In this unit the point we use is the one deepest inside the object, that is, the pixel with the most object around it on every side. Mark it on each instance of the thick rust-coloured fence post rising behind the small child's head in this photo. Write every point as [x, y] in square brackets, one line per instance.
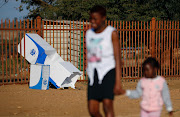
[153, 53]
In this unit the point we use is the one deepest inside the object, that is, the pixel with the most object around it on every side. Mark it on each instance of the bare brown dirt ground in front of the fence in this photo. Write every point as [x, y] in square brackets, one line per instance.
[19, 100]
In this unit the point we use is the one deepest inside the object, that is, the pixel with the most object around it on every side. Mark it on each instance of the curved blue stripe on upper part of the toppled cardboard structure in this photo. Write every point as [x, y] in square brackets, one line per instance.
[41, 55]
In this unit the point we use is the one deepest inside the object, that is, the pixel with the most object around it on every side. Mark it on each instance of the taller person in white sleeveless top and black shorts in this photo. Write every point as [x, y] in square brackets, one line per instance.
[103, 55]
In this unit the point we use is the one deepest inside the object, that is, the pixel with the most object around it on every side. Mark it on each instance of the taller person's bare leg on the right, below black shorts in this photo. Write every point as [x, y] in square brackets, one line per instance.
[108, 107]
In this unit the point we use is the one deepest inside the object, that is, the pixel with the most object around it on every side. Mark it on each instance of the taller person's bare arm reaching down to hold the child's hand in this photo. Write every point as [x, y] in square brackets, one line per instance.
[117, 55]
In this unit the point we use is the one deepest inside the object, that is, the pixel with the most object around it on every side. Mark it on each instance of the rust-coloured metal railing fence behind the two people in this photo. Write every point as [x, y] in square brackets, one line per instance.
[138, 40]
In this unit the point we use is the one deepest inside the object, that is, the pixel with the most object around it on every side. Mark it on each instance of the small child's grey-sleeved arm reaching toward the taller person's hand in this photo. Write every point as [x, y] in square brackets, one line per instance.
[133, 94]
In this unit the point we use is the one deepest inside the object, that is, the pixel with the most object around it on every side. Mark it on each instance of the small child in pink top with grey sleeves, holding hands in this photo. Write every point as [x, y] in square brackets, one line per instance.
[153, 89]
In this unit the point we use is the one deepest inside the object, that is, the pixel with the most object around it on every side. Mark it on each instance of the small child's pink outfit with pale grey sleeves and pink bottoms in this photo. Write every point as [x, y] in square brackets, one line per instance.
[154, 93]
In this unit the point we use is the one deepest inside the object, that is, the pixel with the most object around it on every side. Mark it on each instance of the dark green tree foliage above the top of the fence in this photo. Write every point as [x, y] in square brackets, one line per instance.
[116, 9]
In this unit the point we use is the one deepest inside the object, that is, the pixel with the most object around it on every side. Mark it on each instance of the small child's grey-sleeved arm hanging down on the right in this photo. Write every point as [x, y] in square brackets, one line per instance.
[166, 97]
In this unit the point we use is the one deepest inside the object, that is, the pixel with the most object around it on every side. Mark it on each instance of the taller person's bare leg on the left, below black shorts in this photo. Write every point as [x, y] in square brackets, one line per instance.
[93, 107]
